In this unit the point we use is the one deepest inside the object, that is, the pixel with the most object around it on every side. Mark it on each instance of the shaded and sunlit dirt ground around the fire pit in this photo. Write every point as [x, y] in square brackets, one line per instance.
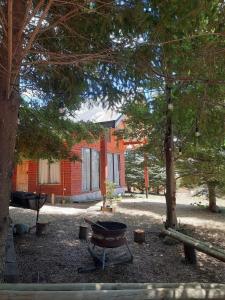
[57, 255]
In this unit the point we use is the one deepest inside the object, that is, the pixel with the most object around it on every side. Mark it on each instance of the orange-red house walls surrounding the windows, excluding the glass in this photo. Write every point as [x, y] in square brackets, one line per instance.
[71, 172]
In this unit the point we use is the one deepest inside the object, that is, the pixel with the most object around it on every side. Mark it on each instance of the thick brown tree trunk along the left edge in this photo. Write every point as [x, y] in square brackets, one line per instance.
[10, 61]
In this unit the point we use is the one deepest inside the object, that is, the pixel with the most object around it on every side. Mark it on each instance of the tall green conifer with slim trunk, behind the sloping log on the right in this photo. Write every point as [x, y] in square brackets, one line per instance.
[179, 53]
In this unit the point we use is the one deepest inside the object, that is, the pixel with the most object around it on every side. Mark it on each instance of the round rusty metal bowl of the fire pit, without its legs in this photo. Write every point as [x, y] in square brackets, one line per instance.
[113, 237]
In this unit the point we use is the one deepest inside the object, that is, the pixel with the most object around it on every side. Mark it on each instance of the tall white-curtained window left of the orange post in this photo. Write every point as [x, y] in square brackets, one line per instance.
[90, 169]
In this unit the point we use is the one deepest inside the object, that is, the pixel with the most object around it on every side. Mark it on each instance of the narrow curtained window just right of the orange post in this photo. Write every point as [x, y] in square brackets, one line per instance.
[113, 166]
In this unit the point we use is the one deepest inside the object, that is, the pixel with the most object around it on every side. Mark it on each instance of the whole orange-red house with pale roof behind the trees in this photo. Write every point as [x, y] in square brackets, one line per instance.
[81, 180]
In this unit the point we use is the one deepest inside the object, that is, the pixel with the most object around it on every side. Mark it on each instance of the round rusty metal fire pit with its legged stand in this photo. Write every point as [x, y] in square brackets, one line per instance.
[106, 235]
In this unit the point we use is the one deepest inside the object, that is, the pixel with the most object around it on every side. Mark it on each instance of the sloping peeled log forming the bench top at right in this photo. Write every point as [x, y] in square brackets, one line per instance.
[207, 248]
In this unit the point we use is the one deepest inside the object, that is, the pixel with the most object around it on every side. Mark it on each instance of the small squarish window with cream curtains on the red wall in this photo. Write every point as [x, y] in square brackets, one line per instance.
[49, 173]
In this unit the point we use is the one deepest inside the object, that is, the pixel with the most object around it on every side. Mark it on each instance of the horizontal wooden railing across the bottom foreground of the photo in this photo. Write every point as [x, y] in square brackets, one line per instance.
[118, 291]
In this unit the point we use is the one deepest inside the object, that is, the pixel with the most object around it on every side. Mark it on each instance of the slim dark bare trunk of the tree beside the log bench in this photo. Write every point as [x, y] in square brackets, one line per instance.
[171, 219]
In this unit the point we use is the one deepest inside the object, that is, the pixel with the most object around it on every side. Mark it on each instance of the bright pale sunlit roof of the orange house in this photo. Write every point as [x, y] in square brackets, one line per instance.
[98, 114]
